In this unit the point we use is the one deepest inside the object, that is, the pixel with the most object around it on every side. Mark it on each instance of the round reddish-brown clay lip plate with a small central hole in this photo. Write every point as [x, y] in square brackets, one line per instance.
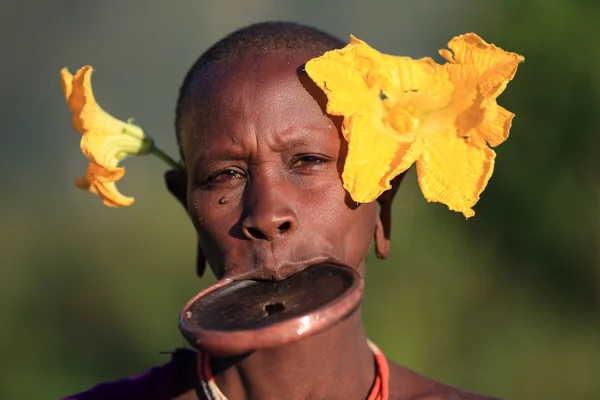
[236, 317]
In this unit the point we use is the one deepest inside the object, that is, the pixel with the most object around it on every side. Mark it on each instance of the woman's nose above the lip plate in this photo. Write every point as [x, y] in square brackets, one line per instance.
[269, 215]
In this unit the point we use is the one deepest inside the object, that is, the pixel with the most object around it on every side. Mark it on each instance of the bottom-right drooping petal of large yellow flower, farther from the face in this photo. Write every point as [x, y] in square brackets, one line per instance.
[454, 171]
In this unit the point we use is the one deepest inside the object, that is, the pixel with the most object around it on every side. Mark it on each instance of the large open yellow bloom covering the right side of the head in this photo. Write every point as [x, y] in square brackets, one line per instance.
[398, 111]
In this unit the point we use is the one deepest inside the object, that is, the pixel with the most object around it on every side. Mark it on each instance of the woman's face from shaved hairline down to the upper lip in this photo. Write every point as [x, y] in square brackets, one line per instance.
[264, 163]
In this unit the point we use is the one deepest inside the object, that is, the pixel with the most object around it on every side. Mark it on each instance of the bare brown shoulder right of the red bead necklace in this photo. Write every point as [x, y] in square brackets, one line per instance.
[408, 385]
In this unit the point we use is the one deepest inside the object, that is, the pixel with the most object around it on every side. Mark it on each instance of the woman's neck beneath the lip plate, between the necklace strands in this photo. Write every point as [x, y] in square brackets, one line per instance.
[334, 364]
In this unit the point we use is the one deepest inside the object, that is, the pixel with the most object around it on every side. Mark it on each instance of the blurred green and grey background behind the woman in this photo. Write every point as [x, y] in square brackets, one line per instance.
[505, 303]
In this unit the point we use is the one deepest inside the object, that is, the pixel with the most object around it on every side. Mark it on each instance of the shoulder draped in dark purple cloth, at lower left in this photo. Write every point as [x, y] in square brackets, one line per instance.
[174, 380]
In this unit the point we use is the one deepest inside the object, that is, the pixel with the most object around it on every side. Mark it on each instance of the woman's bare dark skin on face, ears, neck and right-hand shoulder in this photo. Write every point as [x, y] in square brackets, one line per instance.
[256, 135]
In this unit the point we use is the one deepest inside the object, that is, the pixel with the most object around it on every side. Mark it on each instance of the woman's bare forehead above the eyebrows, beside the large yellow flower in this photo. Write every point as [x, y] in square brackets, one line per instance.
[258, 89]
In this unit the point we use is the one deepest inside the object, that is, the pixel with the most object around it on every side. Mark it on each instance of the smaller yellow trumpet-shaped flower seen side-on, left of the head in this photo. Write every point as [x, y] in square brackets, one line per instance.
[106, 141]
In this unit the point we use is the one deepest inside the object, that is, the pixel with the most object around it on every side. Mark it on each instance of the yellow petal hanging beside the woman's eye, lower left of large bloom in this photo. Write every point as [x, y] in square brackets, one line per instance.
[375, 156]
